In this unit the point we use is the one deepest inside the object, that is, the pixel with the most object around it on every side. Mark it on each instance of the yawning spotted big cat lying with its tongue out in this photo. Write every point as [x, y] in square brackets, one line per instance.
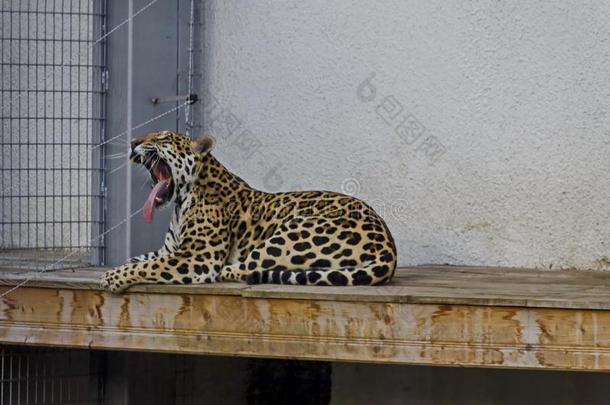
[224, 230]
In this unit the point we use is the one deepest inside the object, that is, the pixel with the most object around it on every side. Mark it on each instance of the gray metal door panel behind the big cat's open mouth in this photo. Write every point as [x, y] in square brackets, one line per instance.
[154, 65]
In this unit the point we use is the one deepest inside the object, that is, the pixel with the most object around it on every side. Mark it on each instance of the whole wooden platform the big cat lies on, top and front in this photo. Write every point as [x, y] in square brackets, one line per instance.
[434, 315]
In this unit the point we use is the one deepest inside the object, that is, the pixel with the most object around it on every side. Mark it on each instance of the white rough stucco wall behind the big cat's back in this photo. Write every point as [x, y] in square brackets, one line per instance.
[506, 155]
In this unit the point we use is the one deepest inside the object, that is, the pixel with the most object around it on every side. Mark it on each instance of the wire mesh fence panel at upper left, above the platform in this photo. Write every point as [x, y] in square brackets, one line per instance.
[51, 118]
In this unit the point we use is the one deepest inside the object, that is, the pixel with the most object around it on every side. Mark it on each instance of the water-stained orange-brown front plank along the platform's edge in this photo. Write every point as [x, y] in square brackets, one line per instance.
[401, 333]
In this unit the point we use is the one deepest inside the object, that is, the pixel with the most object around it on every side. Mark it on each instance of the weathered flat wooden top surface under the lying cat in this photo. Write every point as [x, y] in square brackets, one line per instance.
[425, 284]
